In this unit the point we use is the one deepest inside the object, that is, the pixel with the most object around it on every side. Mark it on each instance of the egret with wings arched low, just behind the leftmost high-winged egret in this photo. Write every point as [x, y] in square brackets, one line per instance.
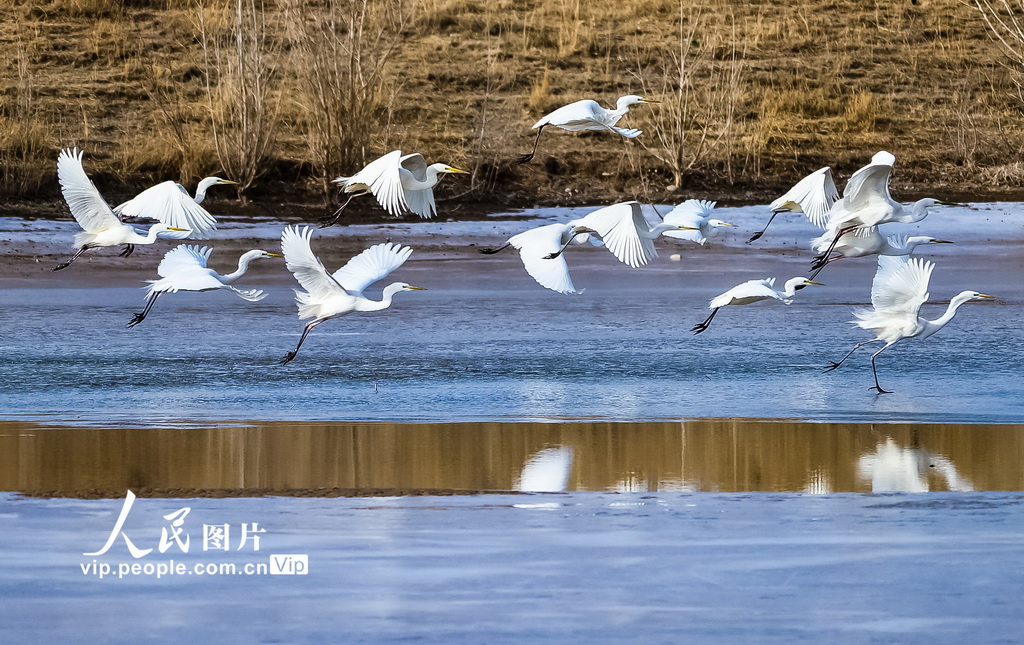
[172, 204]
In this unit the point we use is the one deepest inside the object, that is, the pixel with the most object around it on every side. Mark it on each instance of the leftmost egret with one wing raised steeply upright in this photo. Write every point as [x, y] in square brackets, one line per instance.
[101, 227]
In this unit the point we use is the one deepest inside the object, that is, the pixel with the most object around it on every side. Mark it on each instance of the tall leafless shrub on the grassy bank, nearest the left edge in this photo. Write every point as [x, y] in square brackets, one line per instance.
[240, 68]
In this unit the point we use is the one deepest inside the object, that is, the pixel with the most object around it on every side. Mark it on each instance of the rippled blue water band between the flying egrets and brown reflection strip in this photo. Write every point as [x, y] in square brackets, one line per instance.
[486, 343]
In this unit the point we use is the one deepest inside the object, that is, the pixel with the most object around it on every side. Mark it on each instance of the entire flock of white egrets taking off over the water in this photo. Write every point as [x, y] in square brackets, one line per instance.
[405, 185]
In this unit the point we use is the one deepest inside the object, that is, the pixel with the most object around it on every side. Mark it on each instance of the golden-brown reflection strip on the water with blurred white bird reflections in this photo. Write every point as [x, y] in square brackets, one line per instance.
[367, 458]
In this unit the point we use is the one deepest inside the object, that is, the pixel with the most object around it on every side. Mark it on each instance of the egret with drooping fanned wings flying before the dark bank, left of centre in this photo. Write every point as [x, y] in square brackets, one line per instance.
[401, 185]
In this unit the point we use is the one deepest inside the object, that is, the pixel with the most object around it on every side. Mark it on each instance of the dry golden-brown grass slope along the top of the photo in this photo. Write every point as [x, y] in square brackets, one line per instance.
[754, 100]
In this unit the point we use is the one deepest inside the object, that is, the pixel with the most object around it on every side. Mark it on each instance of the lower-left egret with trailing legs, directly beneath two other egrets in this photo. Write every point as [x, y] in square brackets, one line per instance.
[185, 269]
